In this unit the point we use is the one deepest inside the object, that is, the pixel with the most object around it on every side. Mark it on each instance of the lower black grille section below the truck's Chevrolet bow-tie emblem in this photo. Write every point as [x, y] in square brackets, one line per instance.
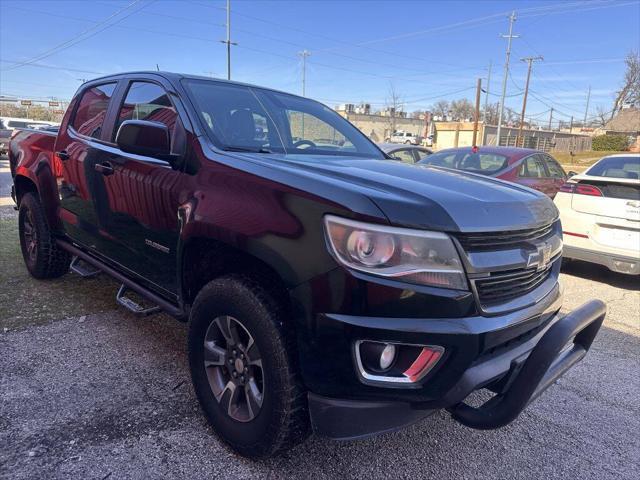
[501, 287]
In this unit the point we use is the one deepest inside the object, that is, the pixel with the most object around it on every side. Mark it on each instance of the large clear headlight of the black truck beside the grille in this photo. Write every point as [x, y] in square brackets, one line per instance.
[413, 256]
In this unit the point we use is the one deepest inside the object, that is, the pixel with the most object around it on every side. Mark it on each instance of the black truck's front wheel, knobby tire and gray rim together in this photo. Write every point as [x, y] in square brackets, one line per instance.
[243, 368]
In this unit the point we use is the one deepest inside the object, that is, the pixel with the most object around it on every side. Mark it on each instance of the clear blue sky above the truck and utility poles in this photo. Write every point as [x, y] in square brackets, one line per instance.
[427, 49]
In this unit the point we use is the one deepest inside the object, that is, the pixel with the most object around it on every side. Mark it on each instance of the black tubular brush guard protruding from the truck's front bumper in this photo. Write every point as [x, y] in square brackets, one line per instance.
[562, 346]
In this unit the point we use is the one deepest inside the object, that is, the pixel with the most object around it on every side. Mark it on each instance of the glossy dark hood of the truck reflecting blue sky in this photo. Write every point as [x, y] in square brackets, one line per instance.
[432, 197]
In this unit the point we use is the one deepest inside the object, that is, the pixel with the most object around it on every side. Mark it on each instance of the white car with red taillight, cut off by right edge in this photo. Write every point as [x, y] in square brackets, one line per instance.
[600, 214]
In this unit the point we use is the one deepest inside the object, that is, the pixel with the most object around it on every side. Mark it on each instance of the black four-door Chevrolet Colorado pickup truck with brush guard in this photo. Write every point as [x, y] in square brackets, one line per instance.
[327, 287]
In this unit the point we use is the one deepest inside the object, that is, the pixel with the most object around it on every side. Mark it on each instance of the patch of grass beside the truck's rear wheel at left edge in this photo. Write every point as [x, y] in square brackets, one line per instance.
[25, 301]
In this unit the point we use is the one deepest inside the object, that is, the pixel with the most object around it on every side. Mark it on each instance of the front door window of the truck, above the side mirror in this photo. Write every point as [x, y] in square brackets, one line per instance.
[147, 101]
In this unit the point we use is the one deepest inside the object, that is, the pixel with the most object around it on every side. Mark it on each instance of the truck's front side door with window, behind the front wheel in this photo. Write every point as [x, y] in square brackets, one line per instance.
[143, 192]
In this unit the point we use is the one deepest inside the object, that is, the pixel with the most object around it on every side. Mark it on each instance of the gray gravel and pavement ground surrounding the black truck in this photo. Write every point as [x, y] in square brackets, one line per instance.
[88, 391]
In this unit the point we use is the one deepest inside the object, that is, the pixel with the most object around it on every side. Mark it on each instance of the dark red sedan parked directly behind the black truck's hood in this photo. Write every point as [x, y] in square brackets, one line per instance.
[532, 168]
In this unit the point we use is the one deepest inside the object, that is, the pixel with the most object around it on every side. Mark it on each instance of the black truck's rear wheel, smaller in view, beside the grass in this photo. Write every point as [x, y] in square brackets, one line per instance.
[42, 256]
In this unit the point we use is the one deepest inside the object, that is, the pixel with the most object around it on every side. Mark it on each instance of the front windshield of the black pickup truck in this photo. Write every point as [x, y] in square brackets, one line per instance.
[242, 118]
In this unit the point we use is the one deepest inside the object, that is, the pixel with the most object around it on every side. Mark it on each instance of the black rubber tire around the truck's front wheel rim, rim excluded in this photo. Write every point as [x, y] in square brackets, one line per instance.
[282, 420]
